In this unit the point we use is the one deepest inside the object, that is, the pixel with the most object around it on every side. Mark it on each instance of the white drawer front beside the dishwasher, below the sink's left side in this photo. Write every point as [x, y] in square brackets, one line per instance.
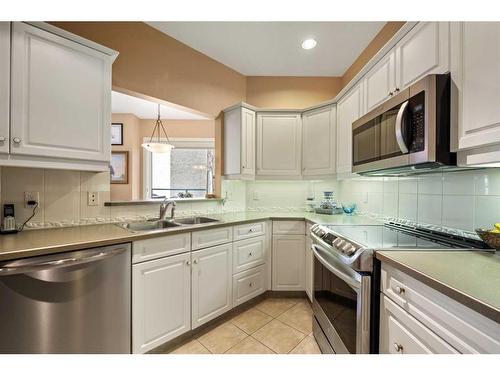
[159, 247]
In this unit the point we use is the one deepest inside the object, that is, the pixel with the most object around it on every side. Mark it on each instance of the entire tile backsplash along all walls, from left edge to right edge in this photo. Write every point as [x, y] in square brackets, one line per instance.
[465, 200]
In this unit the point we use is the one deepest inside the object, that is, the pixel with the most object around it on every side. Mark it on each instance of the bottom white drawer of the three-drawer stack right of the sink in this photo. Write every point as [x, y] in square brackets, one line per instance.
[248, 284]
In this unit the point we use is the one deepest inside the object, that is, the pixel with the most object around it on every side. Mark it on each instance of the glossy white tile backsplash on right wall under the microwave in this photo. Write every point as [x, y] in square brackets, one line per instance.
[464, 200]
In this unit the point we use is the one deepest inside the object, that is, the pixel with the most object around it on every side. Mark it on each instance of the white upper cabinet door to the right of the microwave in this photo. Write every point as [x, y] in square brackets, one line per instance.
[476, 74]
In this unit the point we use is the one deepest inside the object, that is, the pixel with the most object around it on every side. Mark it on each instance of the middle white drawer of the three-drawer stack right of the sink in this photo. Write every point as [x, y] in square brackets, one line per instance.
[248, 253]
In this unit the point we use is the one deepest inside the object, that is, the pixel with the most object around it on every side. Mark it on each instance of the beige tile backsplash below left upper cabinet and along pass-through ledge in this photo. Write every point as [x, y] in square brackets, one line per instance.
[63, 198]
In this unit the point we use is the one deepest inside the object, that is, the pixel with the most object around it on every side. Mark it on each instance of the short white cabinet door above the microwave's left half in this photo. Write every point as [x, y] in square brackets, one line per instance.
[380, 82]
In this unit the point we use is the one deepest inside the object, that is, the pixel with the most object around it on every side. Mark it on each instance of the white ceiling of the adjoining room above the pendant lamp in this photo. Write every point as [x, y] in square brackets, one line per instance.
[145, 109]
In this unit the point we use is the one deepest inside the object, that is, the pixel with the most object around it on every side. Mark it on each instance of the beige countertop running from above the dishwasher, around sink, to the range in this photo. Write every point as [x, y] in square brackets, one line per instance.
[48, 241]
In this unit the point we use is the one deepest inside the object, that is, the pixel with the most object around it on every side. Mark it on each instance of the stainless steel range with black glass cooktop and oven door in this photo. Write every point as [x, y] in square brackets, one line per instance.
[345, 288]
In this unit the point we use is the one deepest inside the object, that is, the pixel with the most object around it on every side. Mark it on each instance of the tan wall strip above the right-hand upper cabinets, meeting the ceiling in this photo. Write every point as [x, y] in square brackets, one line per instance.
[383, 36]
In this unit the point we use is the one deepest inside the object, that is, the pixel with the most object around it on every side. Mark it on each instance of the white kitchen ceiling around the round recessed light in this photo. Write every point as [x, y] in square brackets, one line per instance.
[274, 48]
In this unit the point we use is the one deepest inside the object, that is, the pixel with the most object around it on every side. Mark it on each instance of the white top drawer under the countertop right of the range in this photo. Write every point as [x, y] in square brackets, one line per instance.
[464, 329]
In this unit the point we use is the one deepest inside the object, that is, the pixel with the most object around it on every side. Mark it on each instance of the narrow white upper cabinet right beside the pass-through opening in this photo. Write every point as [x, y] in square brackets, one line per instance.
[239, 147]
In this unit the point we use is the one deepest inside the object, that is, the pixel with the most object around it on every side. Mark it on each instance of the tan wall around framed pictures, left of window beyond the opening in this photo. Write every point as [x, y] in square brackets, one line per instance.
[132, 144]
